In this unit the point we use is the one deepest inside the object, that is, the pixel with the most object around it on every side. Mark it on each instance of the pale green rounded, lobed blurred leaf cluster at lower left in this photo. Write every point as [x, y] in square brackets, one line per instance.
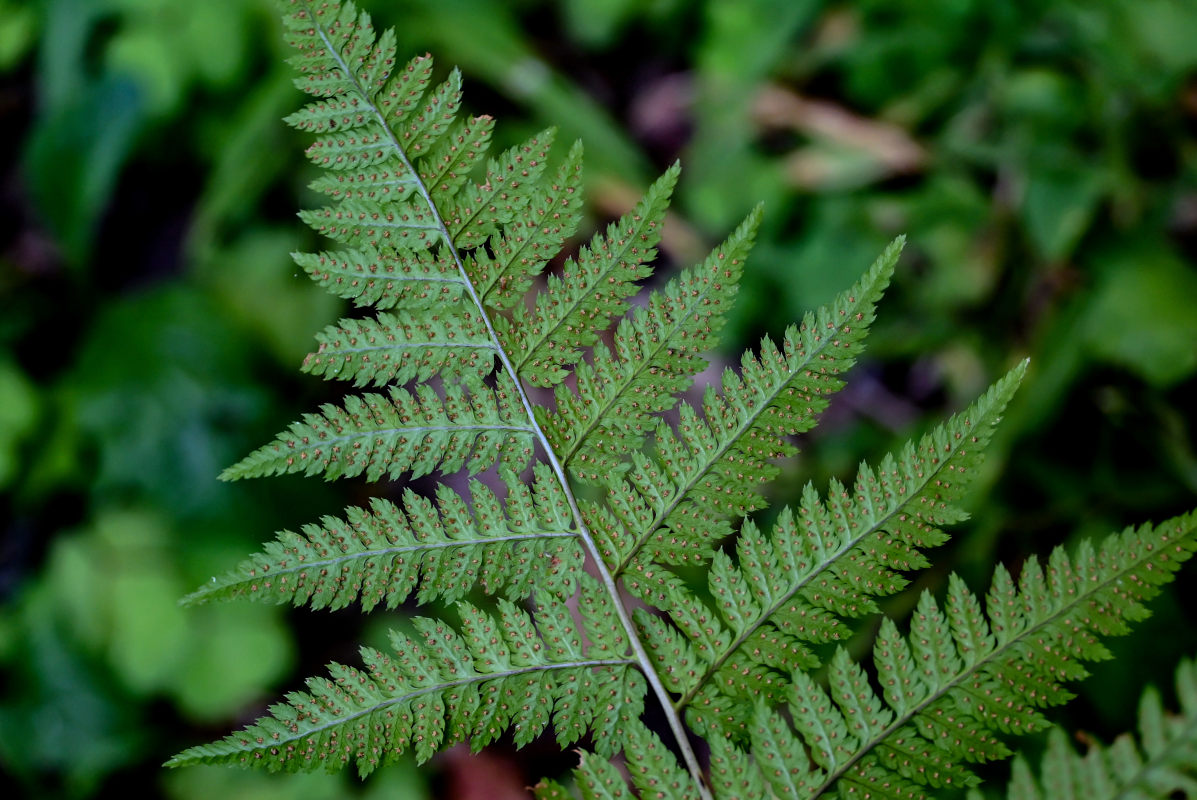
[116, 589]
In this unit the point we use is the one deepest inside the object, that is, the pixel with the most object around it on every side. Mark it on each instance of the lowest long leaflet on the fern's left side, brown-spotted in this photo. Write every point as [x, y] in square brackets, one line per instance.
[447, 687]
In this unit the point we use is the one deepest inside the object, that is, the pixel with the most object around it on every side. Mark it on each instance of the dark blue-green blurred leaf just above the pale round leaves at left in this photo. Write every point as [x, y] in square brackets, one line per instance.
[161, 386]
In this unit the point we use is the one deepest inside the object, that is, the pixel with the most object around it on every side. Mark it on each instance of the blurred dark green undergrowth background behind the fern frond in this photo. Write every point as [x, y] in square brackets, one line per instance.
[1042, 159]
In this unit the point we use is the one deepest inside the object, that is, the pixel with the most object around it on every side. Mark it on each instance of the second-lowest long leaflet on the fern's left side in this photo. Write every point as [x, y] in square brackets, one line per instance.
[385, 555]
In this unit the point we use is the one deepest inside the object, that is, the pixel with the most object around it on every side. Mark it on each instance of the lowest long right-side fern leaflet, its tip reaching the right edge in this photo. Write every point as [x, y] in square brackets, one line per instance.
[964, 678]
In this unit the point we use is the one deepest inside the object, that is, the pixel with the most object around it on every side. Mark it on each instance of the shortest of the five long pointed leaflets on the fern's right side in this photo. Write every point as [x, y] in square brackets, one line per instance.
[576, 307]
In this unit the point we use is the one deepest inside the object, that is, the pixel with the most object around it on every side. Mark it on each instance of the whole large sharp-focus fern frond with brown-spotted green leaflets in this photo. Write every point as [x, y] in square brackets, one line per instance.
[452, 251]
